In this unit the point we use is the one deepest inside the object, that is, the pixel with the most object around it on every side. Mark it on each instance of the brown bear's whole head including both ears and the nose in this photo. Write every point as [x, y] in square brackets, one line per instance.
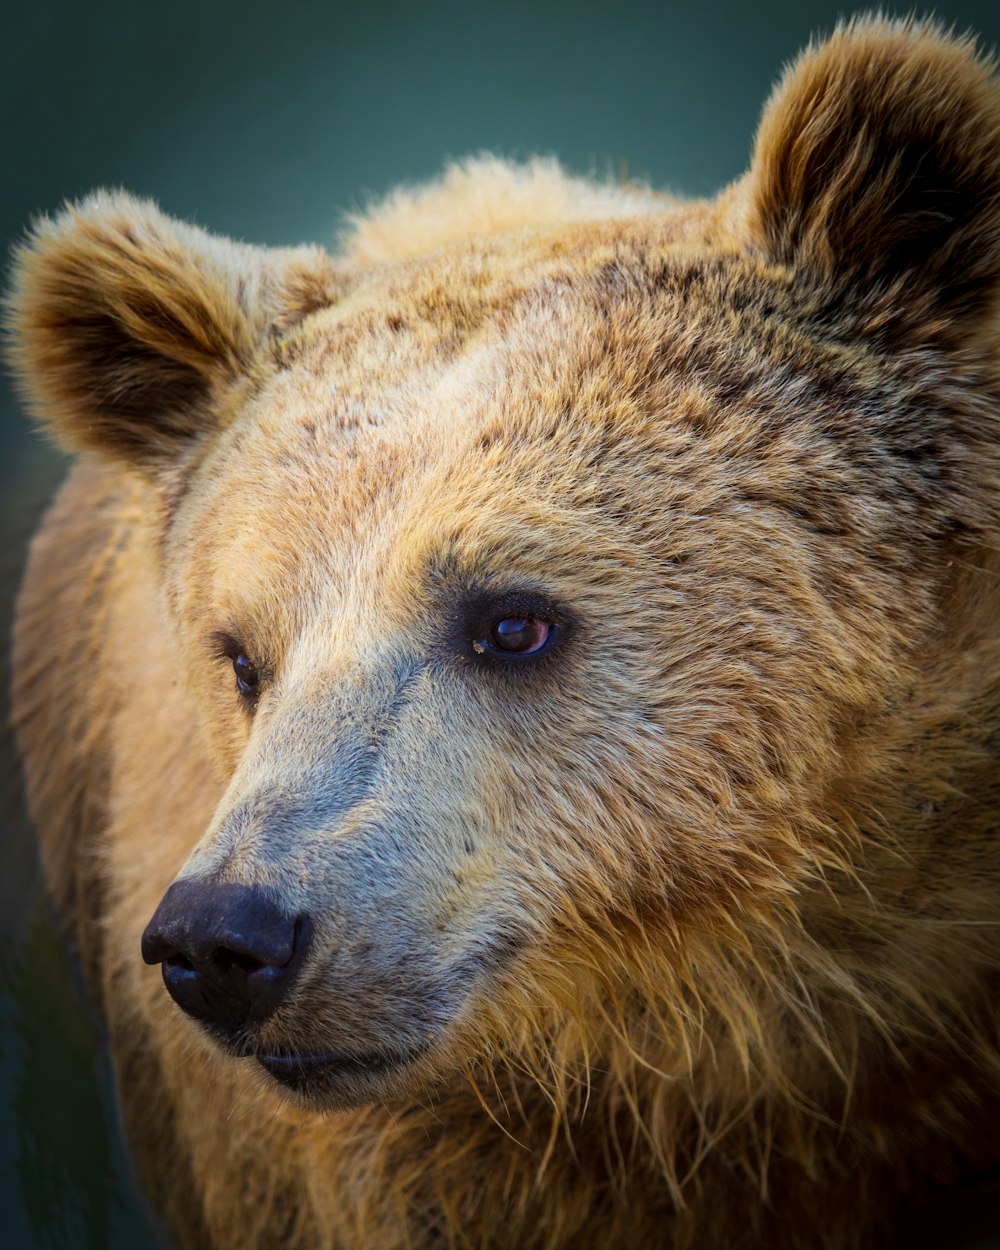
[588, 624]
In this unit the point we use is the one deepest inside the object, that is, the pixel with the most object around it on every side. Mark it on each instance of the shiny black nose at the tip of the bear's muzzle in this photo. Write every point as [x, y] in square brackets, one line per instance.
[229, 953]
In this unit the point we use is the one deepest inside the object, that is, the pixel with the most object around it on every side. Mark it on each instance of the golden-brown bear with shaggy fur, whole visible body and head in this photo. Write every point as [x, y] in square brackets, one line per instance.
[531, 687]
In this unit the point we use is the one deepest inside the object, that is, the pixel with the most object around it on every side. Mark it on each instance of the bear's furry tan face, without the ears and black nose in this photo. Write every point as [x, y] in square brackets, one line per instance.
[399, 778]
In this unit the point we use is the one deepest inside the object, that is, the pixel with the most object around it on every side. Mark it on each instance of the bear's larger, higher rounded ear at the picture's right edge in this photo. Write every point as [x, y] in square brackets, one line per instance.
[877, 179]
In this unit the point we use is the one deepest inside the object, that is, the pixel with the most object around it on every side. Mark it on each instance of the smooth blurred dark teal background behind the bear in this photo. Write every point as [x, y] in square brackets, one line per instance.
[268, 122]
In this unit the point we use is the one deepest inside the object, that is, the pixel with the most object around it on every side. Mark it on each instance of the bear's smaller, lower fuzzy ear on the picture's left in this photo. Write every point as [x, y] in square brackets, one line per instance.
[127, 327]
